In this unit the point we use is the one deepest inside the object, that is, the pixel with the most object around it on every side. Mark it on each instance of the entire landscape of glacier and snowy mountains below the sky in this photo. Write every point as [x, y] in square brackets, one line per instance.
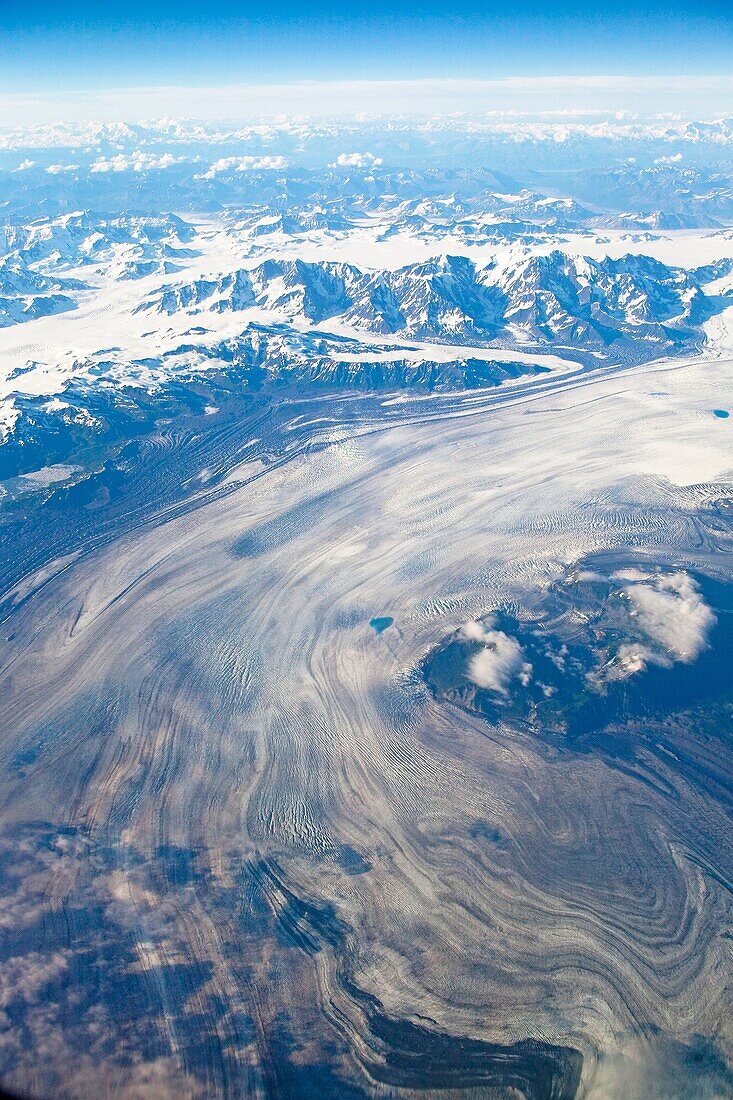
[366, 529]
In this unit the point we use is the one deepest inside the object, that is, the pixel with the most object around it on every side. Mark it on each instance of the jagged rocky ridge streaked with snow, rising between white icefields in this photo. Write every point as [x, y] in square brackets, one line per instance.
[552, 299]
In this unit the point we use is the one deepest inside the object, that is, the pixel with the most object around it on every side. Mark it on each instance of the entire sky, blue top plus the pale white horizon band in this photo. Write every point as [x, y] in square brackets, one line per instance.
[92, 59]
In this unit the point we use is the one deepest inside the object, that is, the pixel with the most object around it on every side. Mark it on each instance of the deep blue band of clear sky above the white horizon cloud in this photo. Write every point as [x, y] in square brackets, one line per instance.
[83, 45]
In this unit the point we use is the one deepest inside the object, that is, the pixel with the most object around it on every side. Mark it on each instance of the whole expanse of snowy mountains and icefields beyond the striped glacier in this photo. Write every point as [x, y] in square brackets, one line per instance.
[356, 277]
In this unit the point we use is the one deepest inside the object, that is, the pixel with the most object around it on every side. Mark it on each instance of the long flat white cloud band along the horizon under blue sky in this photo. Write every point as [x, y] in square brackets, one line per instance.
[693, 96]
